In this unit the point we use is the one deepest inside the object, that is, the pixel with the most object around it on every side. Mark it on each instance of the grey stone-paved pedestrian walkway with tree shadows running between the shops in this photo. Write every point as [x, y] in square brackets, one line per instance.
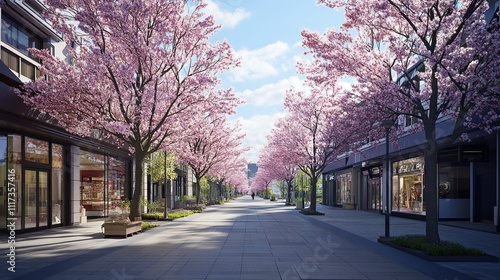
[245, 239]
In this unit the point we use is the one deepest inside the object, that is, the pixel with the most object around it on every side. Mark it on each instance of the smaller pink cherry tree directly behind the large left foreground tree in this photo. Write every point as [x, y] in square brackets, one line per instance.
[210, 143]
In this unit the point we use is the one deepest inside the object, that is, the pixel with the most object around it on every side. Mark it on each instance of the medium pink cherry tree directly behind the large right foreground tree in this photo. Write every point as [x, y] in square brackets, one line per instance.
[319, 130]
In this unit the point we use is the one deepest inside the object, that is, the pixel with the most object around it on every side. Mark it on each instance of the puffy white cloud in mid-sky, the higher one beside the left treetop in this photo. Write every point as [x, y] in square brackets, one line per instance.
[260, 63]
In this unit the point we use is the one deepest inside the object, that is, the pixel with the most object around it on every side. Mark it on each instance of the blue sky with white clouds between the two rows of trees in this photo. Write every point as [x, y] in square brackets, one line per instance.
[266, 36]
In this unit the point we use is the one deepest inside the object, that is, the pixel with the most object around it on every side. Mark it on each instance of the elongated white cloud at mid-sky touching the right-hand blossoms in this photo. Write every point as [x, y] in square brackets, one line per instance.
[270, 94]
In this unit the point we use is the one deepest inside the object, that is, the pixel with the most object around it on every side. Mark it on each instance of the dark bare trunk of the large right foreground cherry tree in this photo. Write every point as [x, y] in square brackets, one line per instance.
[431, 192]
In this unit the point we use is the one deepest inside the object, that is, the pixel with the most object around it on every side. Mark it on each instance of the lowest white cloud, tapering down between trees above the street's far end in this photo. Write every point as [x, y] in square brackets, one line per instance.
[256, 129]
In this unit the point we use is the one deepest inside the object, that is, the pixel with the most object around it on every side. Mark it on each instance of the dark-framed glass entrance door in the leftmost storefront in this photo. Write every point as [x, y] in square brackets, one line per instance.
[36, 198]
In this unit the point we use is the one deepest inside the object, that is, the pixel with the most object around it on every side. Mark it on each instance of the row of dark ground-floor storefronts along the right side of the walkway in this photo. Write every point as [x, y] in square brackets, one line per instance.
[467, 180]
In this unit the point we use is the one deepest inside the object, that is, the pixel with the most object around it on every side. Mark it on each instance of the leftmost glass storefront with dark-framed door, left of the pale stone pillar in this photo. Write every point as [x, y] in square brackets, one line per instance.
[32, 172]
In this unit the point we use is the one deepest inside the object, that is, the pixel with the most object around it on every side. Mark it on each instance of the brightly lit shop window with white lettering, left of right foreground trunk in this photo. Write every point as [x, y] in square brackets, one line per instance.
[408, 187]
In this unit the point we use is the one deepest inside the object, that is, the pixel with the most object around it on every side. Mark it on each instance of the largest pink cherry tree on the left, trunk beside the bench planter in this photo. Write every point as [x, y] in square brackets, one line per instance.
[135, 69]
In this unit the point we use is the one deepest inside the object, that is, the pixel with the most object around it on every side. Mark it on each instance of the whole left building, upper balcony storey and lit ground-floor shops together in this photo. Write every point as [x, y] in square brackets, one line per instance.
[49, 177]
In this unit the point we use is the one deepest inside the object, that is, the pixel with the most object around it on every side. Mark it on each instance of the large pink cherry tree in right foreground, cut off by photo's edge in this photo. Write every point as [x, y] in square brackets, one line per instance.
[423, 59]
